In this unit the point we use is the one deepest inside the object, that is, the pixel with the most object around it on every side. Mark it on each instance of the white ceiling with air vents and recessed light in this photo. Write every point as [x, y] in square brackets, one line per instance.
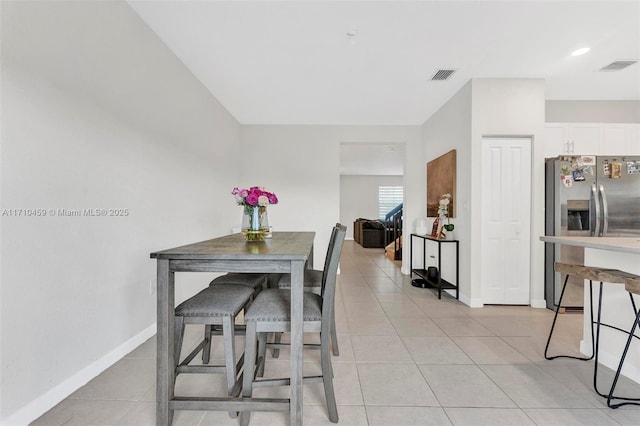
[291, 62]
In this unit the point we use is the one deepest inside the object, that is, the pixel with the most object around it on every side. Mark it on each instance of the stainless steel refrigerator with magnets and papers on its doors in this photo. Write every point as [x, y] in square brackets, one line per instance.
[587, 195]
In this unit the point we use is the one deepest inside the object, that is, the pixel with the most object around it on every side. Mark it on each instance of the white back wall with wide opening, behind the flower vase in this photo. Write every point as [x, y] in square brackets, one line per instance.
[301, 164]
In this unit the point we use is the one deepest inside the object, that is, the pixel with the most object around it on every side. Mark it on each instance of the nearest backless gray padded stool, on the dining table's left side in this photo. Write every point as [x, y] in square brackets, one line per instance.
[215, 305]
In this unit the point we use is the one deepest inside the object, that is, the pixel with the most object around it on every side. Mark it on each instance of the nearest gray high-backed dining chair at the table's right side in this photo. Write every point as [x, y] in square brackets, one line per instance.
[271, 312]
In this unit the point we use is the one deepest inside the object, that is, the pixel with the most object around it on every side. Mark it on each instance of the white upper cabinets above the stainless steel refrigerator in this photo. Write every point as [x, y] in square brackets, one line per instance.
[592, 139]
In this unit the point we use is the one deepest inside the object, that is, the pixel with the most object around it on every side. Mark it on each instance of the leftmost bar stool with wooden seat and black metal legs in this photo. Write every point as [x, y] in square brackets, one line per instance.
[591, 273]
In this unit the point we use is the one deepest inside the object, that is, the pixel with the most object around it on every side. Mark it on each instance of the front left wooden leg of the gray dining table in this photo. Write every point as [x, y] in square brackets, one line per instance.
[165, 372]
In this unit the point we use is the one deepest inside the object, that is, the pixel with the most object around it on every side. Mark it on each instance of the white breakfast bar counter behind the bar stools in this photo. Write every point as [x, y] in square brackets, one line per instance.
[621, 253]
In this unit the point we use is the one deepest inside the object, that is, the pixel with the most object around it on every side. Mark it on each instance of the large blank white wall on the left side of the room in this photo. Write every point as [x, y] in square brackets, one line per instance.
[89, 121]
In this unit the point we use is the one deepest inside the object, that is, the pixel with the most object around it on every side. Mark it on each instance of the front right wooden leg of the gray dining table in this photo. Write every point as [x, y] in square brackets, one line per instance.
[297, 328]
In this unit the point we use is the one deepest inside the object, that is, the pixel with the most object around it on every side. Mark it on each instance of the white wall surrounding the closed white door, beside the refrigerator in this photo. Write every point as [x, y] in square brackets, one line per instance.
[509, 107]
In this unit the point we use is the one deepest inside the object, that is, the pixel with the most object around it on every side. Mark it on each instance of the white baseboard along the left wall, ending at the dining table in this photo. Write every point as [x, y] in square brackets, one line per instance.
[48, 400]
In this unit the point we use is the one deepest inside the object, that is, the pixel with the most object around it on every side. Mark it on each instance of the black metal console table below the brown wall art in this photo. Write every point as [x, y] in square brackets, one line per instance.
[424, 280]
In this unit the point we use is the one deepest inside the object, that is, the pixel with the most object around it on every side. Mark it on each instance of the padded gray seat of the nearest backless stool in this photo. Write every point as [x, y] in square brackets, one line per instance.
[216, 301]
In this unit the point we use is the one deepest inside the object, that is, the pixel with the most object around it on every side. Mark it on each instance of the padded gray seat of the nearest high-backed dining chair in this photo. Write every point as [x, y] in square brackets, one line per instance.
[274, 305]
